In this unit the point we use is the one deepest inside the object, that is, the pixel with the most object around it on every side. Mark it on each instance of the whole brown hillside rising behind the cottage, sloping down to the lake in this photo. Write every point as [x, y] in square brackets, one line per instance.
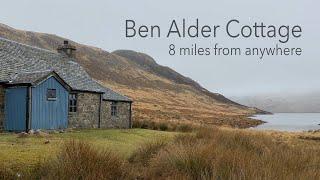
[159, 93]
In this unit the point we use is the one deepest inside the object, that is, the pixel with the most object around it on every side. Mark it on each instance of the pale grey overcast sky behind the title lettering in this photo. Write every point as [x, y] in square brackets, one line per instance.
[102, 24]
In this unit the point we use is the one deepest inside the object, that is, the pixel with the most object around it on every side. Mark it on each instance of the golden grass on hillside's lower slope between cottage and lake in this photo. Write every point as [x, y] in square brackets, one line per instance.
[185, 106]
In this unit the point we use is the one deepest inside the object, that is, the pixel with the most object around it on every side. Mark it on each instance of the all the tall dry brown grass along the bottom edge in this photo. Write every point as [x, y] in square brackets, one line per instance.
[207, 153]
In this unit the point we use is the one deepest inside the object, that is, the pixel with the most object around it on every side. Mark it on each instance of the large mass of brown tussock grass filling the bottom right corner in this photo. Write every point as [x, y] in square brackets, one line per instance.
[221, 154]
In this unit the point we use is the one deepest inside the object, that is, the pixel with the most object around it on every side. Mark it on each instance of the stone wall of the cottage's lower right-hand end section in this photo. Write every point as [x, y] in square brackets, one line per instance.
[122, 120]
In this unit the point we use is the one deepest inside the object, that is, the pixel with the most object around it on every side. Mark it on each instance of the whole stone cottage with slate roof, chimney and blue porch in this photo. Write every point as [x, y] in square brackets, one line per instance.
[42, 89]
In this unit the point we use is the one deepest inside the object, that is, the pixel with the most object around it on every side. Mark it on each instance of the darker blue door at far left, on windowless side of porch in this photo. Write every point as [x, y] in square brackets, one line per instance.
[15, 109]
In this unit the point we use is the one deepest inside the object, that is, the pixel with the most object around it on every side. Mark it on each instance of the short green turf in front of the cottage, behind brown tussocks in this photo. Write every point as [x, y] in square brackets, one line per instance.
[29, 151]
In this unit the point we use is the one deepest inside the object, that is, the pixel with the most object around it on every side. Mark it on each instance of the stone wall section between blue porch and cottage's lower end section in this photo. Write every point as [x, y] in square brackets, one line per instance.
[87, 115]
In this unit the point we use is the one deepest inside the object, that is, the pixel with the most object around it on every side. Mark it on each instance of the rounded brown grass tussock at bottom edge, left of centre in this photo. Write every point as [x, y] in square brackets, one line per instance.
[79, 160]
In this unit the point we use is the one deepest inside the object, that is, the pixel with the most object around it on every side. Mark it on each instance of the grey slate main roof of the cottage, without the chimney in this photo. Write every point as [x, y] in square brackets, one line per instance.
[17, 58]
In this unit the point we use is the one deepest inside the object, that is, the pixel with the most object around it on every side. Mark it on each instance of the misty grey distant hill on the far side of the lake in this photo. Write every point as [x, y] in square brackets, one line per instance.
[293, 103]
